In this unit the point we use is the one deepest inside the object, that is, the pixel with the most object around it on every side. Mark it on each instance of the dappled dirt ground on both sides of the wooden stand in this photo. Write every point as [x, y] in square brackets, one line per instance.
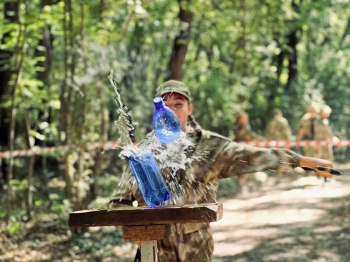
[291, 218]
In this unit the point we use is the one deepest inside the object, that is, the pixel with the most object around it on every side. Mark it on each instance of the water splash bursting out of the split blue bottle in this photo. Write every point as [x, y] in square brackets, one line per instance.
[174, 159]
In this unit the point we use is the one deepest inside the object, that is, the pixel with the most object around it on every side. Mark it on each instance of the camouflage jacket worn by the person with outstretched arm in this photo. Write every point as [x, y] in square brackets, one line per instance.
[212, 157]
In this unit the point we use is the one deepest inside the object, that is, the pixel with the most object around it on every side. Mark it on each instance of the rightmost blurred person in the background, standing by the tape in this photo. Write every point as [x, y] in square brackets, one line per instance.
[324, 134]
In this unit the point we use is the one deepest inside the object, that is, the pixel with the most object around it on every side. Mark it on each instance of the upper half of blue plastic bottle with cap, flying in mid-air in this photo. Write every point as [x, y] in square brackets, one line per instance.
[166, 124]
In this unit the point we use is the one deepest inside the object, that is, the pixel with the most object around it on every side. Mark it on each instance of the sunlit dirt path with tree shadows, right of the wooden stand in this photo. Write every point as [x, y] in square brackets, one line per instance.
[298, 218]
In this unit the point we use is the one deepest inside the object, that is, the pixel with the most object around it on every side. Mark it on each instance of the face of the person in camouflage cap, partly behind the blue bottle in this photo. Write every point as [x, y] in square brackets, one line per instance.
[180, 106]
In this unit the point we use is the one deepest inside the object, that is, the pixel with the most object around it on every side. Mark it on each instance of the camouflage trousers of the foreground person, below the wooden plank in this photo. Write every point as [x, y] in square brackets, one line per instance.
[193, 247]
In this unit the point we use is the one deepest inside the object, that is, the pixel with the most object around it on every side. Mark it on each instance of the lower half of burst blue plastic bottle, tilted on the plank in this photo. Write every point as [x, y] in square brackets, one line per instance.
[151, 183]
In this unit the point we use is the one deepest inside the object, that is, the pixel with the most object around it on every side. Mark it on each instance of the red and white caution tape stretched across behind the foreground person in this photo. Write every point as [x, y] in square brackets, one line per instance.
[112, 145]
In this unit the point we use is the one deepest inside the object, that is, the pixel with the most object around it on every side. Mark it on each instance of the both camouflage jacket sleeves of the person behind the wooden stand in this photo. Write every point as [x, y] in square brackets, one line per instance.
[220, 158]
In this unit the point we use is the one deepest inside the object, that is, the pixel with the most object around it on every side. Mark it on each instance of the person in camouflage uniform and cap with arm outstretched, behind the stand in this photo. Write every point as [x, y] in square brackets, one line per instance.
[212, 157]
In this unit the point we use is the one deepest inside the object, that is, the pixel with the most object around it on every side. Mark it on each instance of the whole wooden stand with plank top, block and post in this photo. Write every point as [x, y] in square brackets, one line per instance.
[147, 225]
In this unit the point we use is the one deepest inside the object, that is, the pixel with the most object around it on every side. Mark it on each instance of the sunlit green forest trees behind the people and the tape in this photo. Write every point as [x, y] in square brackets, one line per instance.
[55, 58]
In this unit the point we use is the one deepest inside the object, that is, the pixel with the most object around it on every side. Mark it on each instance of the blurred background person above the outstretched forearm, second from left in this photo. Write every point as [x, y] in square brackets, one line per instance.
[278, 128]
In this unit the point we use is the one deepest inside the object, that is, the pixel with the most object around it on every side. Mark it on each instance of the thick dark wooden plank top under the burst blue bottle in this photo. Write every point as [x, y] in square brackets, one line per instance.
[197, 213]
